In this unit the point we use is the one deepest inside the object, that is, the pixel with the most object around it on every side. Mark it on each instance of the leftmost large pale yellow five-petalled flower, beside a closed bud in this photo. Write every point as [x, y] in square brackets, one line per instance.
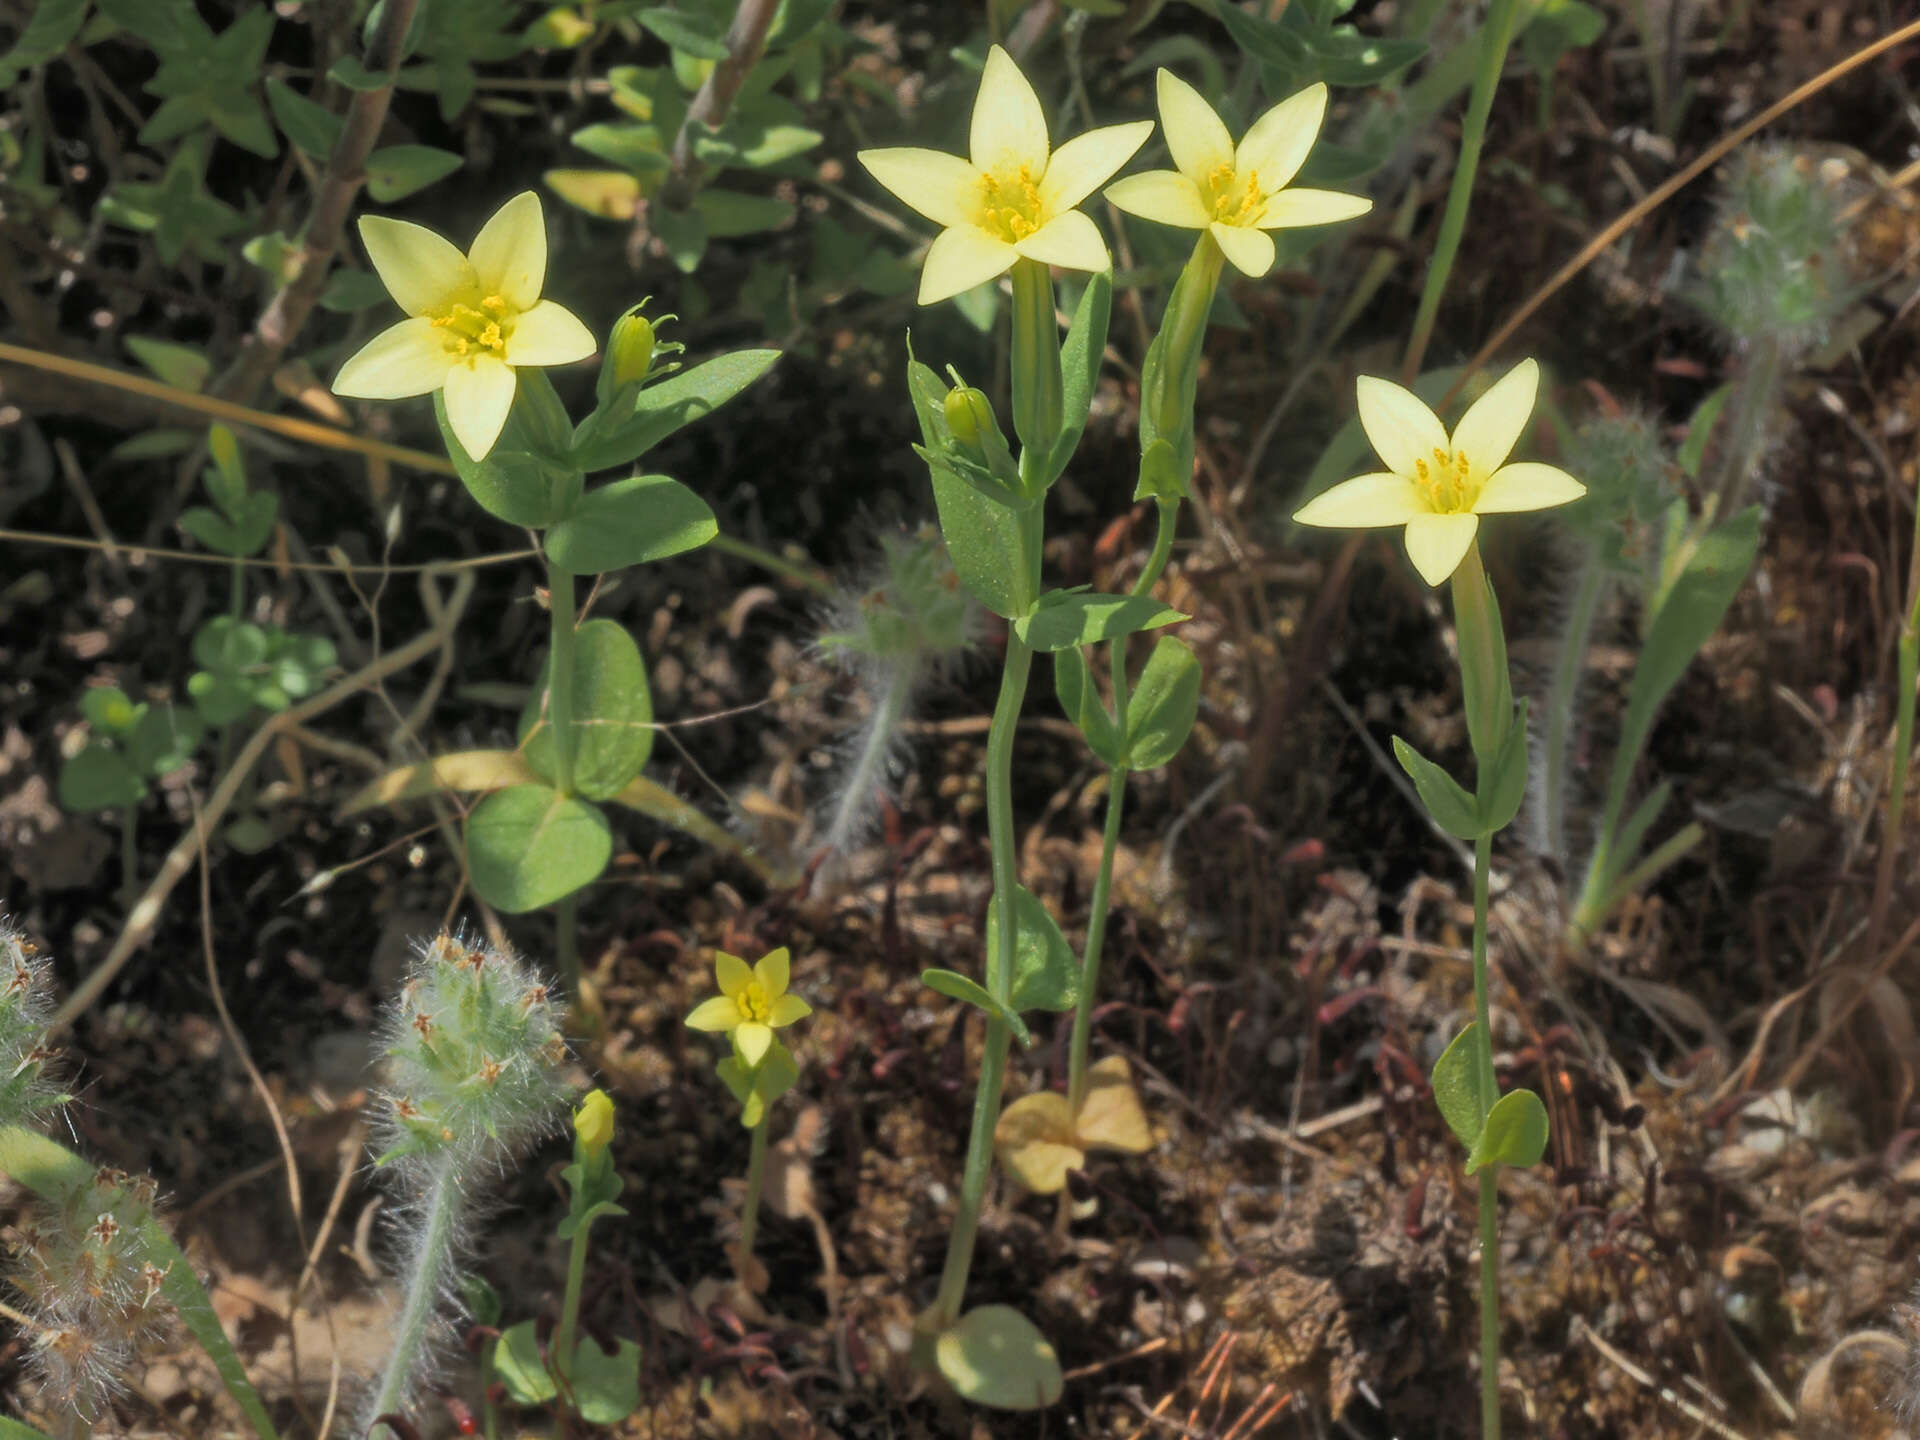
[473, 320]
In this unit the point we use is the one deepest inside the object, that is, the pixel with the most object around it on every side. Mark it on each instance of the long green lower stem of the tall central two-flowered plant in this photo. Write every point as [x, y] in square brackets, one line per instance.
[999, 980]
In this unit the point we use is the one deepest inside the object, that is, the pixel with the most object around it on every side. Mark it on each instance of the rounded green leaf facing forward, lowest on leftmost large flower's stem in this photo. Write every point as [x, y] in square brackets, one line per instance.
[531, 846]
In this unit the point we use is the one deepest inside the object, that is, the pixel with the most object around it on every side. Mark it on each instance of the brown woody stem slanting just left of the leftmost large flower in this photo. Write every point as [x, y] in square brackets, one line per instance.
[347, 170]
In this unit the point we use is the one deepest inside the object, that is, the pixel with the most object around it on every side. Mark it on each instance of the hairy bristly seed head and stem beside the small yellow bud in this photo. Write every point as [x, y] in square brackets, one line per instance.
[473, 1078]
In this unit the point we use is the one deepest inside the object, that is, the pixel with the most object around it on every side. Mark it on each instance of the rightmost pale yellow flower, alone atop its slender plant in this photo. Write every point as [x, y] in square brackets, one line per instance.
[1441, 487]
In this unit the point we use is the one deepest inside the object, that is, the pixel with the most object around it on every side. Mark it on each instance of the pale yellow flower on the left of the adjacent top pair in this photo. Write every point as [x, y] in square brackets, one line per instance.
[1017, 197]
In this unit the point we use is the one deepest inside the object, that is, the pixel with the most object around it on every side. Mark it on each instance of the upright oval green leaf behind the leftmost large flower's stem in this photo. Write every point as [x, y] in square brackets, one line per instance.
[613, 713]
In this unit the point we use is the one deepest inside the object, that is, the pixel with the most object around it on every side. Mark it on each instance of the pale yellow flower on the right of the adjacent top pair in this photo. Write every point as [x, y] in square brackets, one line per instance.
[1236, 195]
